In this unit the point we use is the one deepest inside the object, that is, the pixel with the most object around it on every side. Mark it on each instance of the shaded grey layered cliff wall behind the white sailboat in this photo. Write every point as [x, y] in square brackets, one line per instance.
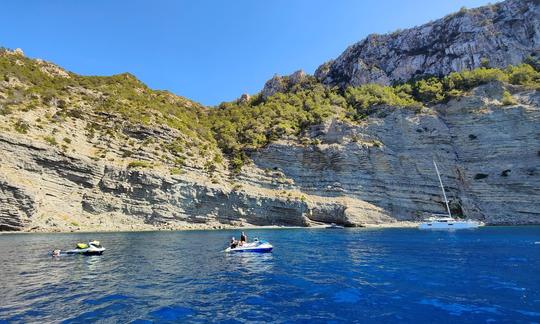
[488, 154]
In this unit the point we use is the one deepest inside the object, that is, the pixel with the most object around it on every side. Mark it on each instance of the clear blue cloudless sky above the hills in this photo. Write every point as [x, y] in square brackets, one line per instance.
[209, 51]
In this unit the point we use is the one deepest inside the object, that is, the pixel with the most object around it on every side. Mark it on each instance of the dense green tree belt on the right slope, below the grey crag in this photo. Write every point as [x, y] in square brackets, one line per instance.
[243, 126]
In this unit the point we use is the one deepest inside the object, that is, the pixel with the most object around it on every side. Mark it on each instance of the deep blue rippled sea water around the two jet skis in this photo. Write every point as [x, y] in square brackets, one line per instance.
[390, 275]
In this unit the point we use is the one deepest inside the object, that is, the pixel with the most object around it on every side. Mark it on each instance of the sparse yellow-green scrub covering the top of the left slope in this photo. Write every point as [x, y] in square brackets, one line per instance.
[106, 105]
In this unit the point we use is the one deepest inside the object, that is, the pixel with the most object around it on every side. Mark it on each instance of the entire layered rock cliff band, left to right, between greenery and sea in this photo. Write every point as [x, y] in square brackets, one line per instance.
[379, 171]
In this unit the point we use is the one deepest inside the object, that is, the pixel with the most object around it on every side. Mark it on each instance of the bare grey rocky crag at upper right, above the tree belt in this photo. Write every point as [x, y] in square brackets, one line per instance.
[499, 35]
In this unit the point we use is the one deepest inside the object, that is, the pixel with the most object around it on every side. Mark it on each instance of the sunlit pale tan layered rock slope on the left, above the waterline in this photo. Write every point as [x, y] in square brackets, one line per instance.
[43, 188]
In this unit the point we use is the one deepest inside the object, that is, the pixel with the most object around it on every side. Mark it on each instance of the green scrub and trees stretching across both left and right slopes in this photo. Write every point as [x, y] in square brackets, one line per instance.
[236, 128]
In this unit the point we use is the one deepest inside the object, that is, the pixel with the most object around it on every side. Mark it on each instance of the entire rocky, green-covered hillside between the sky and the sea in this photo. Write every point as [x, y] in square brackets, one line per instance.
[108, 153]
